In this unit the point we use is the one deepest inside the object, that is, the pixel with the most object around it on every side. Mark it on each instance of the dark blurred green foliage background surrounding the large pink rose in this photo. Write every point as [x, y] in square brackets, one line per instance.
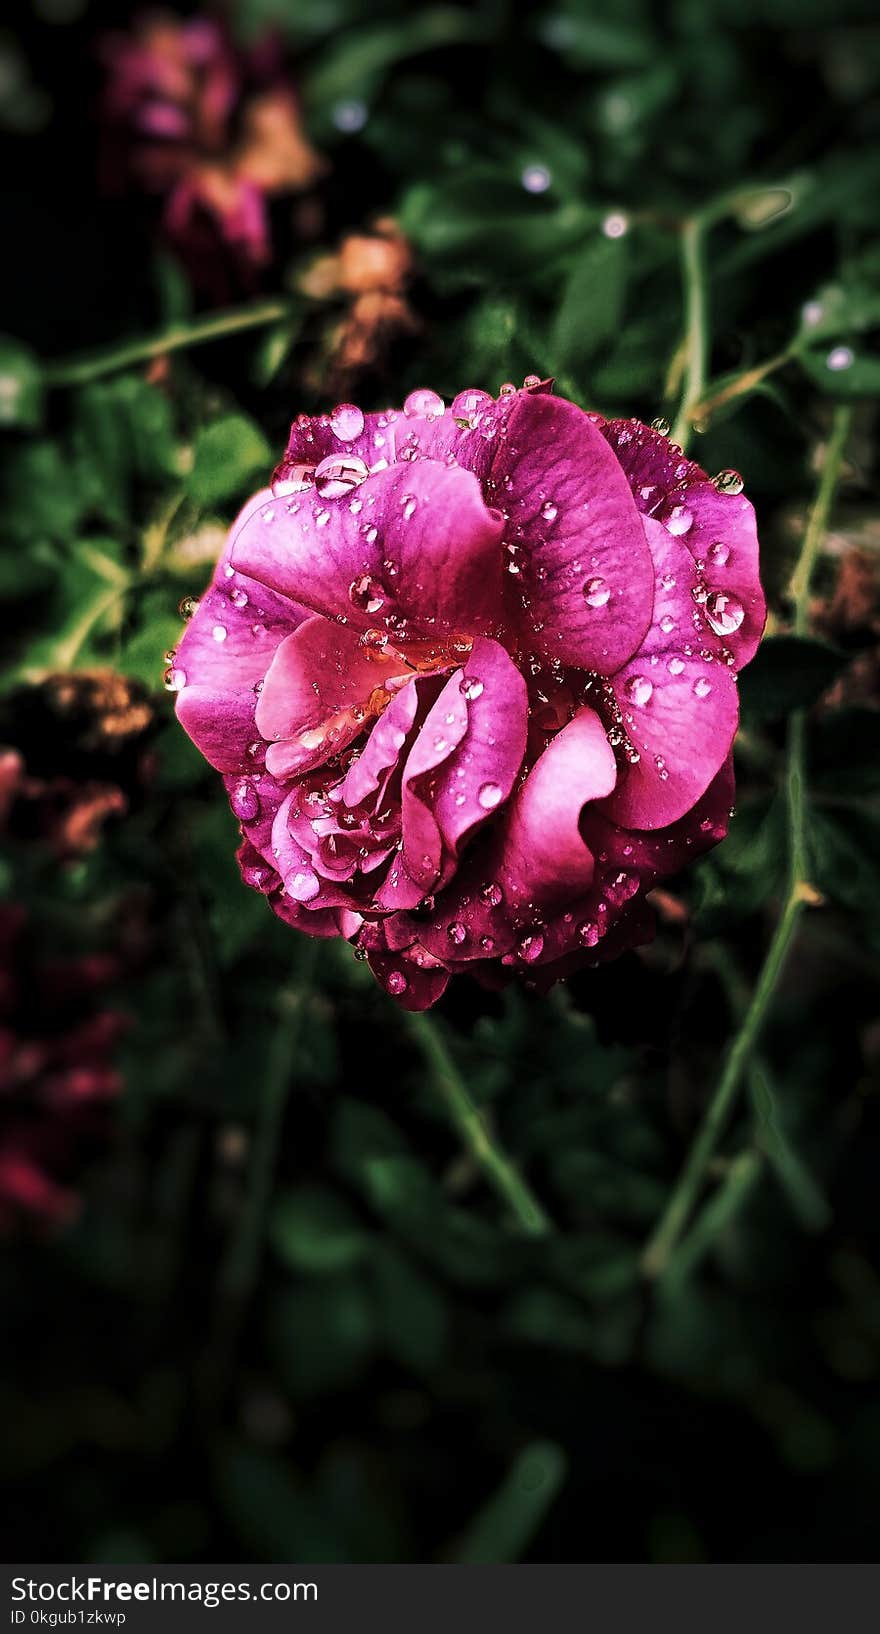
[393, 1373]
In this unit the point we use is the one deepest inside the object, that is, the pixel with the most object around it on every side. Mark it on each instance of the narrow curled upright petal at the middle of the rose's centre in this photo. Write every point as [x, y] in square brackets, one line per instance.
[464, 762]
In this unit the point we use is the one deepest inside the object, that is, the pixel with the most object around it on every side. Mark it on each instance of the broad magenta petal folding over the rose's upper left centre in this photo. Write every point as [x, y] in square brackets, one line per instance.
[411, 550]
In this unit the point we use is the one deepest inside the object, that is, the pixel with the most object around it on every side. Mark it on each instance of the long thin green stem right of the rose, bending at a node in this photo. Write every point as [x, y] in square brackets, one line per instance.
[799, 893]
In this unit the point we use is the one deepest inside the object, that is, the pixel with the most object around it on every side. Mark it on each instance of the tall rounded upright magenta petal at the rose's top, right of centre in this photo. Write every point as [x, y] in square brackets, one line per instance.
[585, 581]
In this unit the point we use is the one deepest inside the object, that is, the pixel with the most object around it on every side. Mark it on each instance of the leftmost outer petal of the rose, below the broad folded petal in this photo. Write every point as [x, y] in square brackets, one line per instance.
[223, 658]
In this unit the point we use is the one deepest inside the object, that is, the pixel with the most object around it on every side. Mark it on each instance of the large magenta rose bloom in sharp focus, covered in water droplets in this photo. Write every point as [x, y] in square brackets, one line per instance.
[471, 679]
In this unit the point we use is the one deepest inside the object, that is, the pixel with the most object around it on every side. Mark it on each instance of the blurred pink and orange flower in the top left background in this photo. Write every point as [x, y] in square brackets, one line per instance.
[211, 132]
